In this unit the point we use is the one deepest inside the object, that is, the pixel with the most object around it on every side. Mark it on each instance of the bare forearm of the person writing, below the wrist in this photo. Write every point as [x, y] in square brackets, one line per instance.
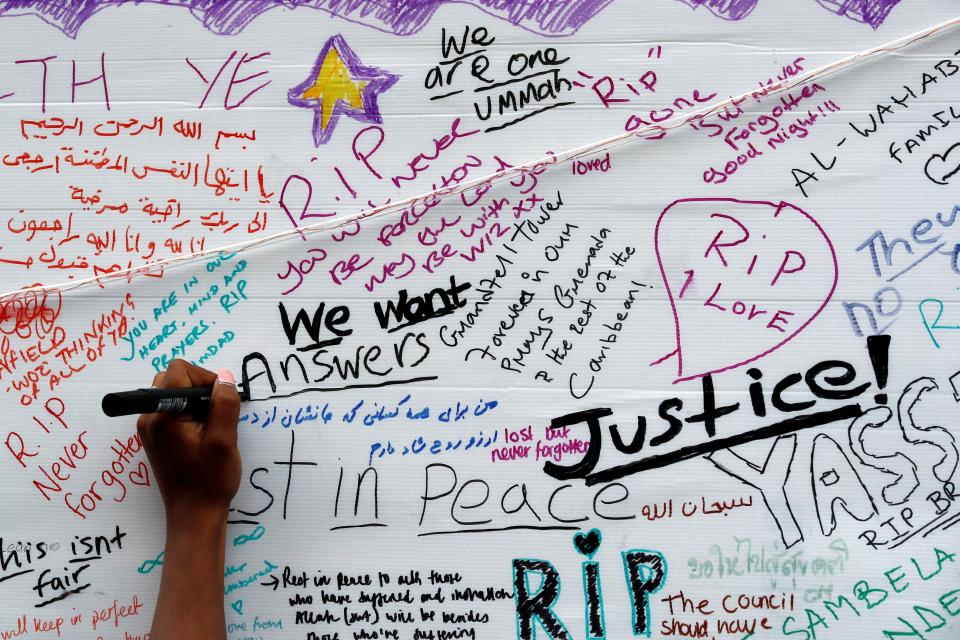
[190, 602]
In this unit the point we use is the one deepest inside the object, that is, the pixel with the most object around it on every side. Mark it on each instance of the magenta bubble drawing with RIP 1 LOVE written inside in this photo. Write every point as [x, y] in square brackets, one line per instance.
[744, 278]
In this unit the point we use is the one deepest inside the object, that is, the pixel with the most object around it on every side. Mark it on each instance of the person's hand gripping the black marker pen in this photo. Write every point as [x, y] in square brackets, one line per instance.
[196, 463]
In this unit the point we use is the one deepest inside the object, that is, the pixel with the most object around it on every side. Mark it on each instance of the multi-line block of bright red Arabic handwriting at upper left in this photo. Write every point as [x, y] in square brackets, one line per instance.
[114, 196]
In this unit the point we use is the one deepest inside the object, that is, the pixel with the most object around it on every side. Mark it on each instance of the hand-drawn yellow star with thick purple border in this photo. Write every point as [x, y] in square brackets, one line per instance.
[340, 84]
